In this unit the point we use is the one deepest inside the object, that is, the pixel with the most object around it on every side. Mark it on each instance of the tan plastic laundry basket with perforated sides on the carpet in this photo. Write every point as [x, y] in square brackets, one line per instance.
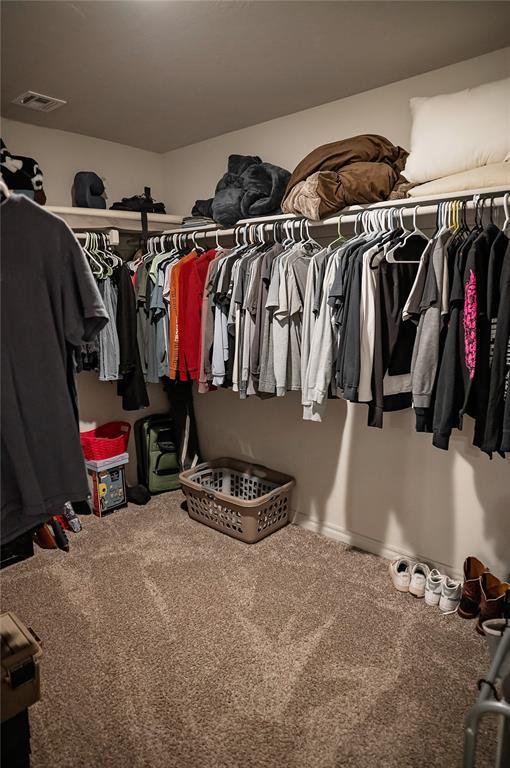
[246, 501]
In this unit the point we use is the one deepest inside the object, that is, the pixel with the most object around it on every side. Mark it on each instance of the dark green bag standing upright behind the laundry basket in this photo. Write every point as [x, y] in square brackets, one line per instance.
[156, 454]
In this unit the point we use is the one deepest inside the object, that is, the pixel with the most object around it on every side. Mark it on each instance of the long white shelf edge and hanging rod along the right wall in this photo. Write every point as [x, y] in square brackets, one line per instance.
[350, 214]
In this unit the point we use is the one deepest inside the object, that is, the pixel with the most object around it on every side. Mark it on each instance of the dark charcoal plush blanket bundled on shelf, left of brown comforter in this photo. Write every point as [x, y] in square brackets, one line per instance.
[249, 188]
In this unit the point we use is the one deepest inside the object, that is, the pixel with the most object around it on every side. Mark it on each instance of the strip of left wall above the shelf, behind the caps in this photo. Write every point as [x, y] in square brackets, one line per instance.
[61, 154]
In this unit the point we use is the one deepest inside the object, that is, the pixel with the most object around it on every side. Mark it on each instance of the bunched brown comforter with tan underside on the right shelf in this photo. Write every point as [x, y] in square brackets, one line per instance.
[362, 169]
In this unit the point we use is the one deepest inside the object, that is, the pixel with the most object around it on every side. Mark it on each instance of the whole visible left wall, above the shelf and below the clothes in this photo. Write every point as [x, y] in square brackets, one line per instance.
[126, 170]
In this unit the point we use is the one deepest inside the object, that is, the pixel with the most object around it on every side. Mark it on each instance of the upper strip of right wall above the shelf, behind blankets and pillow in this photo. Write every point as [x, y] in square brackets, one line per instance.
[192, 172]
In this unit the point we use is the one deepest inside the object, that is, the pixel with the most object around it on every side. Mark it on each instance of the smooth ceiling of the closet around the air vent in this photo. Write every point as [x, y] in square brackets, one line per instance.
[161, 75]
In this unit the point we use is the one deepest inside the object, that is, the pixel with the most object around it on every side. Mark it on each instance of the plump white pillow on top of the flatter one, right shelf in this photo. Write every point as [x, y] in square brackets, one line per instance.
[454, 132]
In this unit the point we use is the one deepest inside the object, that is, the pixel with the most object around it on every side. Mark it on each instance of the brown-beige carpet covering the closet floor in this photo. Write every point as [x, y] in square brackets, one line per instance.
[169, 645]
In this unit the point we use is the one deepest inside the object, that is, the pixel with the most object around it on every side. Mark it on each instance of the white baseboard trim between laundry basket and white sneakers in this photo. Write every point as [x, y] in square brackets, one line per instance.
[376, 547]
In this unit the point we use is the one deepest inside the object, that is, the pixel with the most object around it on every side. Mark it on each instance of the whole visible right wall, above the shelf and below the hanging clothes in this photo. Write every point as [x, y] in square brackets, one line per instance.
[390, 490]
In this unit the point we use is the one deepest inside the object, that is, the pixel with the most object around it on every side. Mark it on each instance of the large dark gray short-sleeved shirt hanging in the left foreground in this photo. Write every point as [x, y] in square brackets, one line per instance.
[45, 273]
